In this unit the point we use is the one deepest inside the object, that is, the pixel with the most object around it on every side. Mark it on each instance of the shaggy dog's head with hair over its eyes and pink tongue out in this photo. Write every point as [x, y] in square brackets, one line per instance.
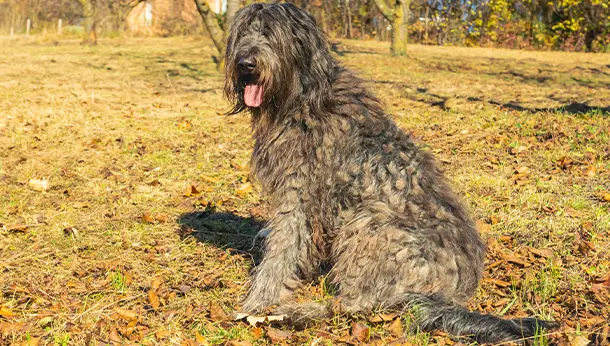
[277, 59]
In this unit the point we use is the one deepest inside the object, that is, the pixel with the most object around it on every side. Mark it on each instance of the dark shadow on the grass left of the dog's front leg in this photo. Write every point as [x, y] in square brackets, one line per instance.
[224, 230]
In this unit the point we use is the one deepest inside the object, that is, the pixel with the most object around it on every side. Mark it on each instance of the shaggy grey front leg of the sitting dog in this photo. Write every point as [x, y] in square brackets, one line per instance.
[288, 258]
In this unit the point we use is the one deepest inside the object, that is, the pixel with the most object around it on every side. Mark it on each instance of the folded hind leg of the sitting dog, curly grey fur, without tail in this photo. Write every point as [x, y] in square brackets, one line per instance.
[375, 260]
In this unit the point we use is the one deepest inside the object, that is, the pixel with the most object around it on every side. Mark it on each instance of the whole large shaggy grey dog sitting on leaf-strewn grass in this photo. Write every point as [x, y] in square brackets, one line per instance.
[348, 188]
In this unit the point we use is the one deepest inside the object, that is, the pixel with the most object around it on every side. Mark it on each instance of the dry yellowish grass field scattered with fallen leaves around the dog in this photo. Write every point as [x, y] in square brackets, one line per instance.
[127, 214]
